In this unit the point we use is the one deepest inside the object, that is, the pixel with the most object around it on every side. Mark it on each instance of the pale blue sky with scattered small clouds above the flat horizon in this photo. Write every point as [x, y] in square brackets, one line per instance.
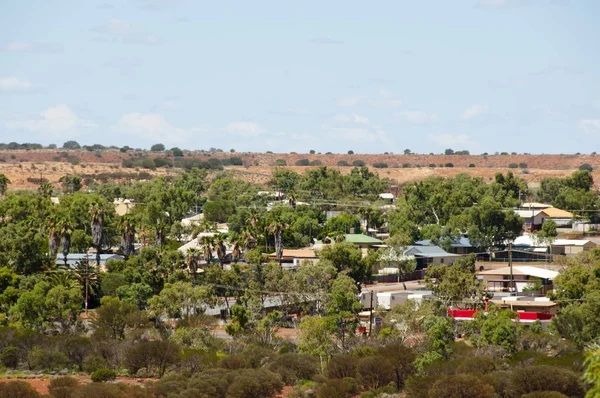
[481, 75]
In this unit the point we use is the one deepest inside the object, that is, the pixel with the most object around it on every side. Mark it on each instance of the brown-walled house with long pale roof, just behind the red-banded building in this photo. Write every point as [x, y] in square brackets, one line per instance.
[498, 280]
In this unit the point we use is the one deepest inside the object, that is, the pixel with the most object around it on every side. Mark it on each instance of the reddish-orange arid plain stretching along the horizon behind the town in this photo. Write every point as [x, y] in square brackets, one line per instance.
[23, 168]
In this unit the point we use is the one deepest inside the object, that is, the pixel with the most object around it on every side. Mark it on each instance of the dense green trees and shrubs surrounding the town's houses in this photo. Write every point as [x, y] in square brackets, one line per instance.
[152, 313]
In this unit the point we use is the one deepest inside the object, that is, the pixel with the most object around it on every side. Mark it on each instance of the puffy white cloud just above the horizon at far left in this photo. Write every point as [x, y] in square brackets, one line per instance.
[58, 121]
